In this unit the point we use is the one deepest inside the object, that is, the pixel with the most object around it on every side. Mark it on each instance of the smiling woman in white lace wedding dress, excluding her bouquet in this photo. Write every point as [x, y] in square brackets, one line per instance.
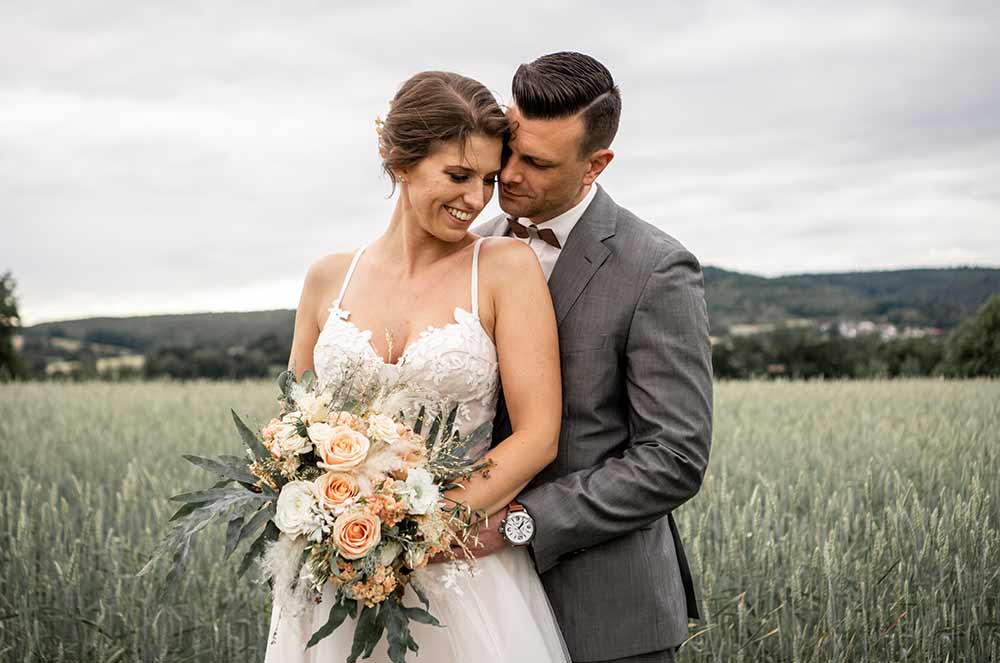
[452, 314]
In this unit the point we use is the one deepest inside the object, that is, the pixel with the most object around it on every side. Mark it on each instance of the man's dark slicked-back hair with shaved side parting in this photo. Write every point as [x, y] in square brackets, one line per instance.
[562, 84]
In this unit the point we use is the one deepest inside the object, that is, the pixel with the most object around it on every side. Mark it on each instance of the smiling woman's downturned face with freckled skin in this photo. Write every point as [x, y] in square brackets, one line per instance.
[446, 191]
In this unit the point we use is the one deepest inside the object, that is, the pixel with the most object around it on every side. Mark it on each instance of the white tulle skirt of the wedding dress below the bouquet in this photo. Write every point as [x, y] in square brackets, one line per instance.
[500, 614]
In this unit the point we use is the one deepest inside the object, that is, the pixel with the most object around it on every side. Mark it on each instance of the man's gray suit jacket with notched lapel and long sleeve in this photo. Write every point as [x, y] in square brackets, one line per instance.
[636, 430]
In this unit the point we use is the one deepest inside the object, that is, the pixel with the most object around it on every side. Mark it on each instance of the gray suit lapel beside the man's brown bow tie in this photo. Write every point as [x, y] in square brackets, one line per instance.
[583, 254]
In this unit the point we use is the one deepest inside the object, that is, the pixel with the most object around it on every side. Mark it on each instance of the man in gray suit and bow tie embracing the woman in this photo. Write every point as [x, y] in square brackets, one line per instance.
[636, 370]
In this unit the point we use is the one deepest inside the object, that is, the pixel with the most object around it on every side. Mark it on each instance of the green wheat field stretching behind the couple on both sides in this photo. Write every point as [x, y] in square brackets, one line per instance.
[839, 521]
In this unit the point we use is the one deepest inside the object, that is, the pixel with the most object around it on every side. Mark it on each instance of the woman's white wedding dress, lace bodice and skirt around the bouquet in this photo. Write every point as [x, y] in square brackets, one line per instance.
[499, 614]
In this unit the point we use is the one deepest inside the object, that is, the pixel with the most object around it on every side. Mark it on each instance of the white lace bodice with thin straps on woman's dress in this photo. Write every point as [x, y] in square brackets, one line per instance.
[451, 365]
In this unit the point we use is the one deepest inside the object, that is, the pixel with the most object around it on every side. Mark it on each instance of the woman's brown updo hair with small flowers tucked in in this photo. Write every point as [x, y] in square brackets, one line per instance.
[433, 108]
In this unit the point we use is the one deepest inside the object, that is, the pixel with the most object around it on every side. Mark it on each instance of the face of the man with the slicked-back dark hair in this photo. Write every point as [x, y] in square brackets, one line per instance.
[543, 171]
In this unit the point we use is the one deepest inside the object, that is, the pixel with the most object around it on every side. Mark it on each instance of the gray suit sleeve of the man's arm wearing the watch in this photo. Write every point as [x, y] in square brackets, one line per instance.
[668, 393]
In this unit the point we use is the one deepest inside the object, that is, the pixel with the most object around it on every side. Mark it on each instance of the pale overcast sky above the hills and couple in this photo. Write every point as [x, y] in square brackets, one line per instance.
[168, 157]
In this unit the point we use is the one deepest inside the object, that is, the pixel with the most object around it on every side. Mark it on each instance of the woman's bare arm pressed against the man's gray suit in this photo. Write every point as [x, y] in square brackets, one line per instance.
[528, 351]
